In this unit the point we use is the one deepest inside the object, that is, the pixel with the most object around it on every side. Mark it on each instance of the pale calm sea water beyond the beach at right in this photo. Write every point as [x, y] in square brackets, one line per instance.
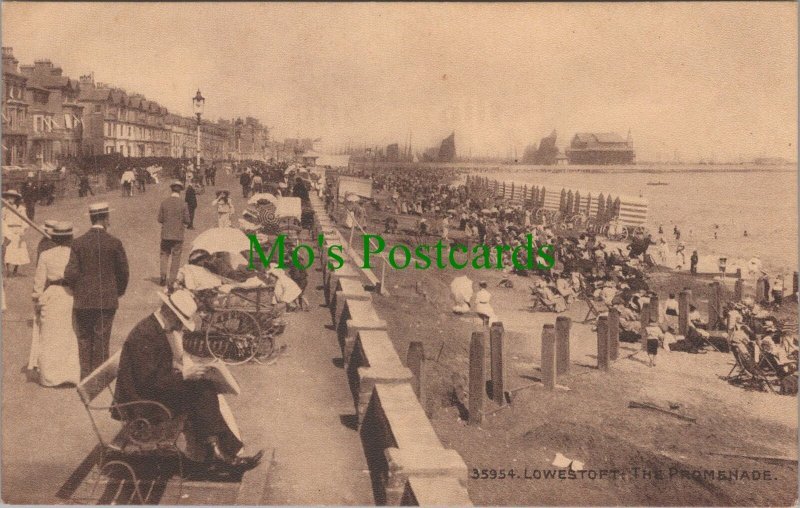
[761, 202]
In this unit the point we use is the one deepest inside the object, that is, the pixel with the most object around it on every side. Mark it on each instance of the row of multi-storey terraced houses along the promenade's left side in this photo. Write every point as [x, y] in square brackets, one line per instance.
[47, 117]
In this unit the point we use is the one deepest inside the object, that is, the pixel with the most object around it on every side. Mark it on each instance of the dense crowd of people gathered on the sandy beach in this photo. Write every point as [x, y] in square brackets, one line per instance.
[587, 266]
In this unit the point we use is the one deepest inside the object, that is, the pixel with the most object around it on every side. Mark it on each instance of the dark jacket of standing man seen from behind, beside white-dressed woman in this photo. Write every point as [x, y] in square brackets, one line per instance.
[97, 270]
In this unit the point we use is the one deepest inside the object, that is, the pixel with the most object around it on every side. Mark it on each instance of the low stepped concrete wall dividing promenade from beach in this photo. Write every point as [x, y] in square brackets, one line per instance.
[407, 461]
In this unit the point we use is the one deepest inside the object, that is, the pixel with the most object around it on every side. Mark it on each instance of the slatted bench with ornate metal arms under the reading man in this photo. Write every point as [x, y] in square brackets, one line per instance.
[147, 429]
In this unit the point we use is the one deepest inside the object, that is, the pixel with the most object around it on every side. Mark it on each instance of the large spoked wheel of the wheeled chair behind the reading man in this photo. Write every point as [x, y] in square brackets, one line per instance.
[233, 336]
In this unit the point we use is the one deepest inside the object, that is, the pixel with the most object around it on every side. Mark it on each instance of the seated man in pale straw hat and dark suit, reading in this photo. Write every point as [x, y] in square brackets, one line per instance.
[152, 367]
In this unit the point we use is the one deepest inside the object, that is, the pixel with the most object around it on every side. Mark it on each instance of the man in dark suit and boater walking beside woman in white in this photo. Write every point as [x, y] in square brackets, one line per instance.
[97, 273]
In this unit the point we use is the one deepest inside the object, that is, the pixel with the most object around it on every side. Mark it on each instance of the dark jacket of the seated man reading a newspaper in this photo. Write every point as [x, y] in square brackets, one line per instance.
[145, 368]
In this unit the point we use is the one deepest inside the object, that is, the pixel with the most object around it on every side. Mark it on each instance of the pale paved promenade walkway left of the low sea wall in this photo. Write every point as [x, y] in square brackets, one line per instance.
[299, 405]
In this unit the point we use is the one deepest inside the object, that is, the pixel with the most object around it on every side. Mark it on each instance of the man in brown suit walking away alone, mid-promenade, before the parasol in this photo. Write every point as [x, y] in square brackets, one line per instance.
[173, 215]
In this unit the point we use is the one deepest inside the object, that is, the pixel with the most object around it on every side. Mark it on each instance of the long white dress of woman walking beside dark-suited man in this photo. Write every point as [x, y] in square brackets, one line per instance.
[58, 345]
